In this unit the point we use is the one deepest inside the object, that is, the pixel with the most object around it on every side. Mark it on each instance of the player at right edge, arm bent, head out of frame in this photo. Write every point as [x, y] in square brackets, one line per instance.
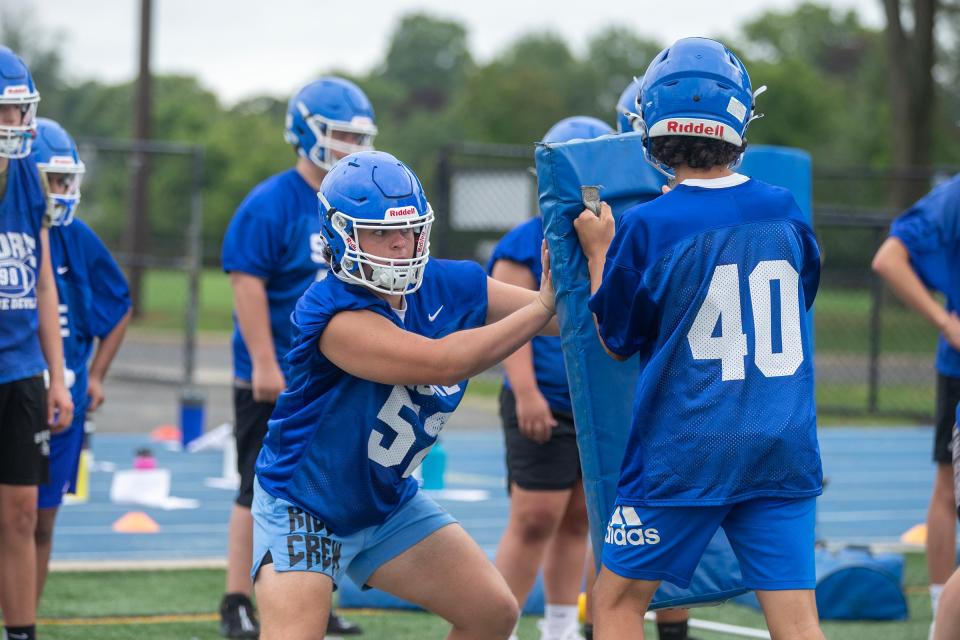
[923, 254]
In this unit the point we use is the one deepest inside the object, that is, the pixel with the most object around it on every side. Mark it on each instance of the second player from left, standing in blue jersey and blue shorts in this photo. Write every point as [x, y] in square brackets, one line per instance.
[94, 308]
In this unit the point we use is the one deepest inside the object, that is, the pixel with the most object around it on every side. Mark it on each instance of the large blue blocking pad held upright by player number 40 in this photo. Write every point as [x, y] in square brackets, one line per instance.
[601, 388]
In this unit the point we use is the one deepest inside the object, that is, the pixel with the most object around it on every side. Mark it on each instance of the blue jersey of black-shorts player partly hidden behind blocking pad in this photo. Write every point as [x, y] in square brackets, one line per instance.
[522, 245]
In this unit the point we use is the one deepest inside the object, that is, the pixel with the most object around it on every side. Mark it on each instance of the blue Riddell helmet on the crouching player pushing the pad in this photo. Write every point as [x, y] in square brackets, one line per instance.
[373, 190]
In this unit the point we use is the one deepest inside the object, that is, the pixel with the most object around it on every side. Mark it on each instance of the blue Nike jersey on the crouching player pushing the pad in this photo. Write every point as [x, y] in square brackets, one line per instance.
[341, 447]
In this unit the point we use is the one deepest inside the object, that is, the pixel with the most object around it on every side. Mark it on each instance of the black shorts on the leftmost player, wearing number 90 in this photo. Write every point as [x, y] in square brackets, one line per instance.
[24, 433]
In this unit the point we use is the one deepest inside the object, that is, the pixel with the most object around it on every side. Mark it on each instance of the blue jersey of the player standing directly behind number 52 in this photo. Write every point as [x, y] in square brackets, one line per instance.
[275, 235]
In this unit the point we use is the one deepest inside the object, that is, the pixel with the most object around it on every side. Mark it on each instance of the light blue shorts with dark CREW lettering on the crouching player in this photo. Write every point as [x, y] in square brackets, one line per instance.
[299, 541]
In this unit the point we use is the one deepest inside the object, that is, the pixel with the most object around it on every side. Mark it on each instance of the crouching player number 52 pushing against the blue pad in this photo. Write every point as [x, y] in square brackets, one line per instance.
[382, 352]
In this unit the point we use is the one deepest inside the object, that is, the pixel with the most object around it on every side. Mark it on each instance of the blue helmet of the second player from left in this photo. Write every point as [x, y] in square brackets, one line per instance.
[55, 154]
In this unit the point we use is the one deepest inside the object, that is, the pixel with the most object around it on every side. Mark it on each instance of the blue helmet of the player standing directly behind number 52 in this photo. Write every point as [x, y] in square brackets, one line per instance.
[322, 108]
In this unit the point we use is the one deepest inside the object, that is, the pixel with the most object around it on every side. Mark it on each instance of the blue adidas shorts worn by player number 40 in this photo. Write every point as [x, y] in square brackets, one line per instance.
[773, 539]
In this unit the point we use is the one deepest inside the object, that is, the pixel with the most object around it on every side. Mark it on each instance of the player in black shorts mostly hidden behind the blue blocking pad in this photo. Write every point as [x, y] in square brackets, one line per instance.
[548, 514]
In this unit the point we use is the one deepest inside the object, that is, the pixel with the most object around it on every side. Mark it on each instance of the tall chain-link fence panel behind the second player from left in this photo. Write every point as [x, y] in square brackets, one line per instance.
[167, 260]
